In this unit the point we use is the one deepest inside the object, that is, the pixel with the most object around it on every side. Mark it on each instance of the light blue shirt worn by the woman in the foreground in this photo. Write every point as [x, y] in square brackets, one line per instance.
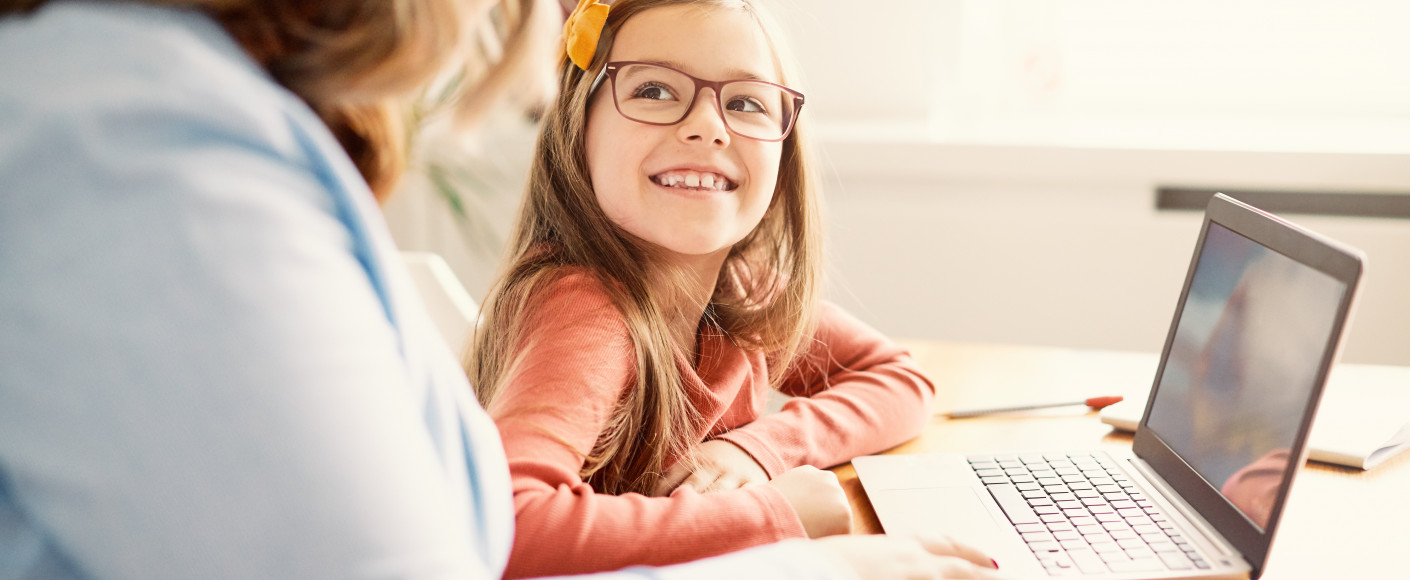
[212, 362]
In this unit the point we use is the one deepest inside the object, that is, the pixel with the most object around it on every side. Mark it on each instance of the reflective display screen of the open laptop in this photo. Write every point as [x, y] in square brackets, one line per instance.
[1243, 366]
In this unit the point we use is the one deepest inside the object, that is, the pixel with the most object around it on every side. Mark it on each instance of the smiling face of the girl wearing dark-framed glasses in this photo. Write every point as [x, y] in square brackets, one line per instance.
[631, 163]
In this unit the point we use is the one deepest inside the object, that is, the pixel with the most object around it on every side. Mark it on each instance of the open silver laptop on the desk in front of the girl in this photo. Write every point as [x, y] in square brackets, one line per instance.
[1257, 330]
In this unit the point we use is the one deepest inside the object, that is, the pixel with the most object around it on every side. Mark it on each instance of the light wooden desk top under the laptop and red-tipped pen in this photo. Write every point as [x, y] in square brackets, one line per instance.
[1340, 523]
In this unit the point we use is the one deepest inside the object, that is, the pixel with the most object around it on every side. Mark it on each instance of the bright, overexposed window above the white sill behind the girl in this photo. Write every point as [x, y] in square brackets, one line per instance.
[1284, 75]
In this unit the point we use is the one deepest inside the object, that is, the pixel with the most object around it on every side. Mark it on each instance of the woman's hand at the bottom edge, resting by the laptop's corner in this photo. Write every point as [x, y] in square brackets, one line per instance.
[909, 558]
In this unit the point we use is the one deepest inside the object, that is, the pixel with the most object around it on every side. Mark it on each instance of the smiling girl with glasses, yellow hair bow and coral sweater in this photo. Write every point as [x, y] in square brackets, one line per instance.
[663, 279]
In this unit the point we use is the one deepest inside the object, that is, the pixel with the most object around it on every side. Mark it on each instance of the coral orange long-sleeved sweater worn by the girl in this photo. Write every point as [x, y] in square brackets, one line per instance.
[859, 394]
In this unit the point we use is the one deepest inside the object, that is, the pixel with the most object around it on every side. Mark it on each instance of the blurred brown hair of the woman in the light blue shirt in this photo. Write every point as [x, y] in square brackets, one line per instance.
[362, 64]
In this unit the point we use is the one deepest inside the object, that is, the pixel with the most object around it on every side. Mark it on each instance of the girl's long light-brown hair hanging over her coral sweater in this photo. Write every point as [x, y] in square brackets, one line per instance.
[765, 300]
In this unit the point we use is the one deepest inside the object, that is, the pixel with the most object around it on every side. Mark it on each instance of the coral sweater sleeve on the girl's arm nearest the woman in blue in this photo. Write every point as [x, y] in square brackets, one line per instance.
[575, 361]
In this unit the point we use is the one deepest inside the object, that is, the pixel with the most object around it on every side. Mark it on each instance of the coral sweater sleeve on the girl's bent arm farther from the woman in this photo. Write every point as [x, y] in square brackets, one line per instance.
[857, 393]
